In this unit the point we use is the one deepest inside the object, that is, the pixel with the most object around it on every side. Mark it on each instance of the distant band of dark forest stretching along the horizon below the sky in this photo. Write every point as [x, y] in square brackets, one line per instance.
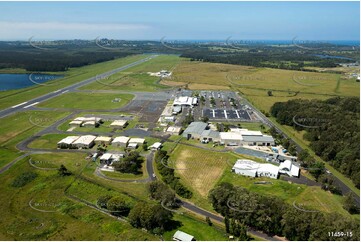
[61, 55]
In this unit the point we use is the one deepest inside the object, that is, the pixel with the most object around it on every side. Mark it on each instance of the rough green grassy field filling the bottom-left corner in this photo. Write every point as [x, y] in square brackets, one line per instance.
[70, 220]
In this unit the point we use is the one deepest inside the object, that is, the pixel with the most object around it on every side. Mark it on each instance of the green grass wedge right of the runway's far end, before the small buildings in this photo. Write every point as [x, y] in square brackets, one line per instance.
[137, 78]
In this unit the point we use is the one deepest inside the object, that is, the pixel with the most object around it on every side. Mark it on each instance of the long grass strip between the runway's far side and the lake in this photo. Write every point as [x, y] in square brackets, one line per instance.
[74, 75]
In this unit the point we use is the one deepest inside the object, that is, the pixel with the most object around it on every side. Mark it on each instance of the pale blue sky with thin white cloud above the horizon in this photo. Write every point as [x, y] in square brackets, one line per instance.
[180, 20]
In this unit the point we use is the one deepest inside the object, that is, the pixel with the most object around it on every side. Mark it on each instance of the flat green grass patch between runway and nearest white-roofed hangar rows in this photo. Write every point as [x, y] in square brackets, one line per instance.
[88, 101]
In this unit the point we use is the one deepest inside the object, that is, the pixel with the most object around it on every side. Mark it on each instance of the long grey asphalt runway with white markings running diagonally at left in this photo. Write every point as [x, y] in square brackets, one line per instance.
[23, 106]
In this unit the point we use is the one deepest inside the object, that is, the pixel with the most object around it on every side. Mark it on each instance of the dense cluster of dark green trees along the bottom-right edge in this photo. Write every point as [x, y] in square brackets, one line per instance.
[242, 208]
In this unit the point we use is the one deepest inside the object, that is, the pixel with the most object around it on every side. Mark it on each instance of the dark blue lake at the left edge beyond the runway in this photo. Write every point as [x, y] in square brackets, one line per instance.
[17, 81]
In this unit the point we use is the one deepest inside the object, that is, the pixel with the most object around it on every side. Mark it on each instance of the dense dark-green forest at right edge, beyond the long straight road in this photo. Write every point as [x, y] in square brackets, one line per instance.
[332, 127]
